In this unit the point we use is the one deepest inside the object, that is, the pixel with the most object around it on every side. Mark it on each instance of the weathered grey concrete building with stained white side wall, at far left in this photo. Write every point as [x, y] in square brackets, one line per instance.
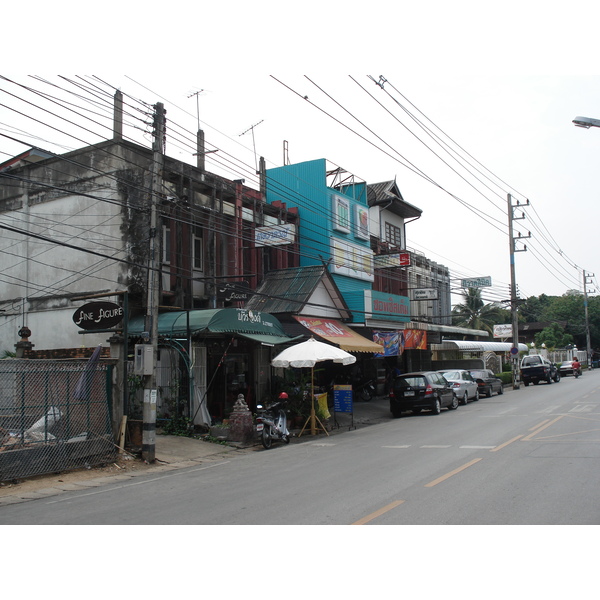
[77, 228]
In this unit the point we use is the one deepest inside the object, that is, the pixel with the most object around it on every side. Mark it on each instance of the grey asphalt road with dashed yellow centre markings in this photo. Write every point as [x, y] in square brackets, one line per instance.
[530, 456]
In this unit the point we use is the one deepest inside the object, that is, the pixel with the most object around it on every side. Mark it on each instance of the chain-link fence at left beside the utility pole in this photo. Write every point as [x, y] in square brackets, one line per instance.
[54, 416]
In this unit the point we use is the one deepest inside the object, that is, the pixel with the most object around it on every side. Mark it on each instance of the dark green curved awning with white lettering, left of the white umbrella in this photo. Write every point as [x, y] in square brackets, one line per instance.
[257, 326]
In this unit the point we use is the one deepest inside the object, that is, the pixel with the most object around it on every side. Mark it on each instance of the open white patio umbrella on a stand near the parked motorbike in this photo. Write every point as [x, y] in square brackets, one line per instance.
[308, 354]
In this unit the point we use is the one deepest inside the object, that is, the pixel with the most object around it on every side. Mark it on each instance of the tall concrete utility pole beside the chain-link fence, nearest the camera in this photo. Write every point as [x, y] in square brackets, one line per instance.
[153, 292]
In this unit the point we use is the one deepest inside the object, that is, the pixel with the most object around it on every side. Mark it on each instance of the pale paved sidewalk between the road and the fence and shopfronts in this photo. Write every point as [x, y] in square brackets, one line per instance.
[176, 452]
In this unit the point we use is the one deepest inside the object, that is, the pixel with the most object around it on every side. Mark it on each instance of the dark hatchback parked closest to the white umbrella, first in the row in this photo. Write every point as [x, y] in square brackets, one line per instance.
[421, 390]
